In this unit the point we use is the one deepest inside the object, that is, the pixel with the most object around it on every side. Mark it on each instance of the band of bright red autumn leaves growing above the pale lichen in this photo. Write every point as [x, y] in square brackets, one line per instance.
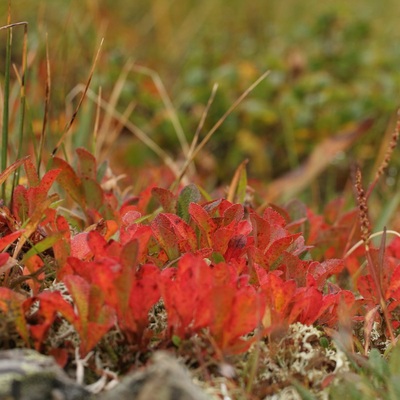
[219, 270]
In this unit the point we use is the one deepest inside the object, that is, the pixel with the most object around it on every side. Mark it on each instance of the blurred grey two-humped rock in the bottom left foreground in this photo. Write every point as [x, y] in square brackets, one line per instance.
[28, 375]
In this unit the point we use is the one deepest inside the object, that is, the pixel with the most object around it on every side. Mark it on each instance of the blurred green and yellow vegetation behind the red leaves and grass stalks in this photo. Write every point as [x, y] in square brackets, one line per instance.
[333, 64]
